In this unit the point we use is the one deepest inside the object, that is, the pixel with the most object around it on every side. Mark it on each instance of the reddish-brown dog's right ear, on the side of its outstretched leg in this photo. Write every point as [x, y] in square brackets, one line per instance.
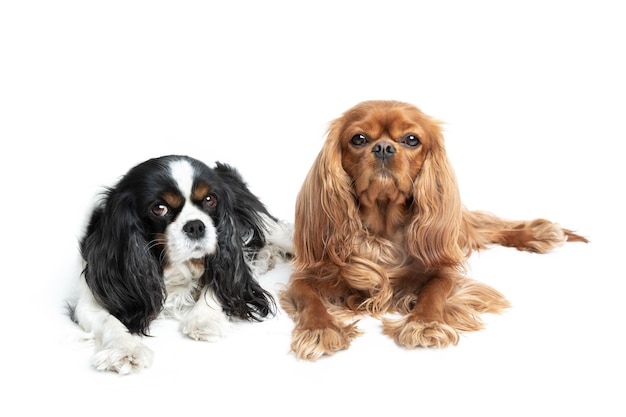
[433, 234]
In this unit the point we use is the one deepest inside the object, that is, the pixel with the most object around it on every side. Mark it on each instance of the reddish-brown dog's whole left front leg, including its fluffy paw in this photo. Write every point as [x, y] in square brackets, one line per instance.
[316, 332]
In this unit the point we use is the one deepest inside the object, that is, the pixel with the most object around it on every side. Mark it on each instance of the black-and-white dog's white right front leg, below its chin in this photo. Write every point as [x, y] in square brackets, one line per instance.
[206, 320]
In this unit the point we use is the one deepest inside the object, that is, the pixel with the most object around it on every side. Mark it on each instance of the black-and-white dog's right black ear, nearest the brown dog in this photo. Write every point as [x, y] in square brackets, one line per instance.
[240, 230]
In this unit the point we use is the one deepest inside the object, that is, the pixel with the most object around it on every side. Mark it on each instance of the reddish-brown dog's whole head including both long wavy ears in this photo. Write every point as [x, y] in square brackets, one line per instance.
[383, 170]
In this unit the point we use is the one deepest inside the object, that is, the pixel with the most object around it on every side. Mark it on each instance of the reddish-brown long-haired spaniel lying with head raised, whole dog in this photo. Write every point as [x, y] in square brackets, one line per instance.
[380, 230]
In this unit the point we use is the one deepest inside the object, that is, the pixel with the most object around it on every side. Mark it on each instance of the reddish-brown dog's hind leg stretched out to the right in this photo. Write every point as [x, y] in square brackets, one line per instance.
[539, 235]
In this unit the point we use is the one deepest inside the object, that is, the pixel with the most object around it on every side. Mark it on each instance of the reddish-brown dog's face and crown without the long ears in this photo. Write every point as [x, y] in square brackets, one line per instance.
[383, 147]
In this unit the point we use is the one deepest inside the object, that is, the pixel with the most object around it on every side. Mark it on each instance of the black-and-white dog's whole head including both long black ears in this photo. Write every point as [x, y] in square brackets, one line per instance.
[166, 212]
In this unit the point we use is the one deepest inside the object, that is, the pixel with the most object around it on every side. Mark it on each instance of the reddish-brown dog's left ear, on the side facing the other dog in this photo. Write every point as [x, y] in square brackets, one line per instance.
[326, 217]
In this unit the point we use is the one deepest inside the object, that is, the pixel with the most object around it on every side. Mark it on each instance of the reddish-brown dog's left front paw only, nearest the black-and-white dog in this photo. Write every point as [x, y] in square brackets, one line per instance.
[311, 344]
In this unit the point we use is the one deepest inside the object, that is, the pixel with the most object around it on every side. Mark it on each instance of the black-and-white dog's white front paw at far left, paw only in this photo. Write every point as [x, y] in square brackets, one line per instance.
[124, 356]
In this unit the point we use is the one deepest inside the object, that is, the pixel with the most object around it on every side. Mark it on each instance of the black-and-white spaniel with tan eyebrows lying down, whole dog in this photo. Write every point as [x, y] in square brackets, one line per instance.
[174, 238]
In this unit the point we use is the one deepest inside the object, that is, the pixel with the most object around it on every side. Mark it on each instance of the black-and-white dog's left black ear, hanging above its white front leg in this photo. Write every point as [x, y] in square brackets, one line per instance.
[120, 270]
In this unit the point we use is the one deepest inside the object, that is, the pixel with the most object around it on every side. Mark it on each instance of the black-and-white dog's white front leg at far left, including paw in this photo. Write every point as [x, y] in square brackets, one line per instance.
[116, 349]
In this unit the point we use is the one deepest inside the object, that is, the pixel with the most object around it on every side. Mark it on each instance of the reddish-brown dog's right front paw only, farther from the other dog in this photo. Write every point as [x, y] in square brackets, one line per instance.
[412, 333]
